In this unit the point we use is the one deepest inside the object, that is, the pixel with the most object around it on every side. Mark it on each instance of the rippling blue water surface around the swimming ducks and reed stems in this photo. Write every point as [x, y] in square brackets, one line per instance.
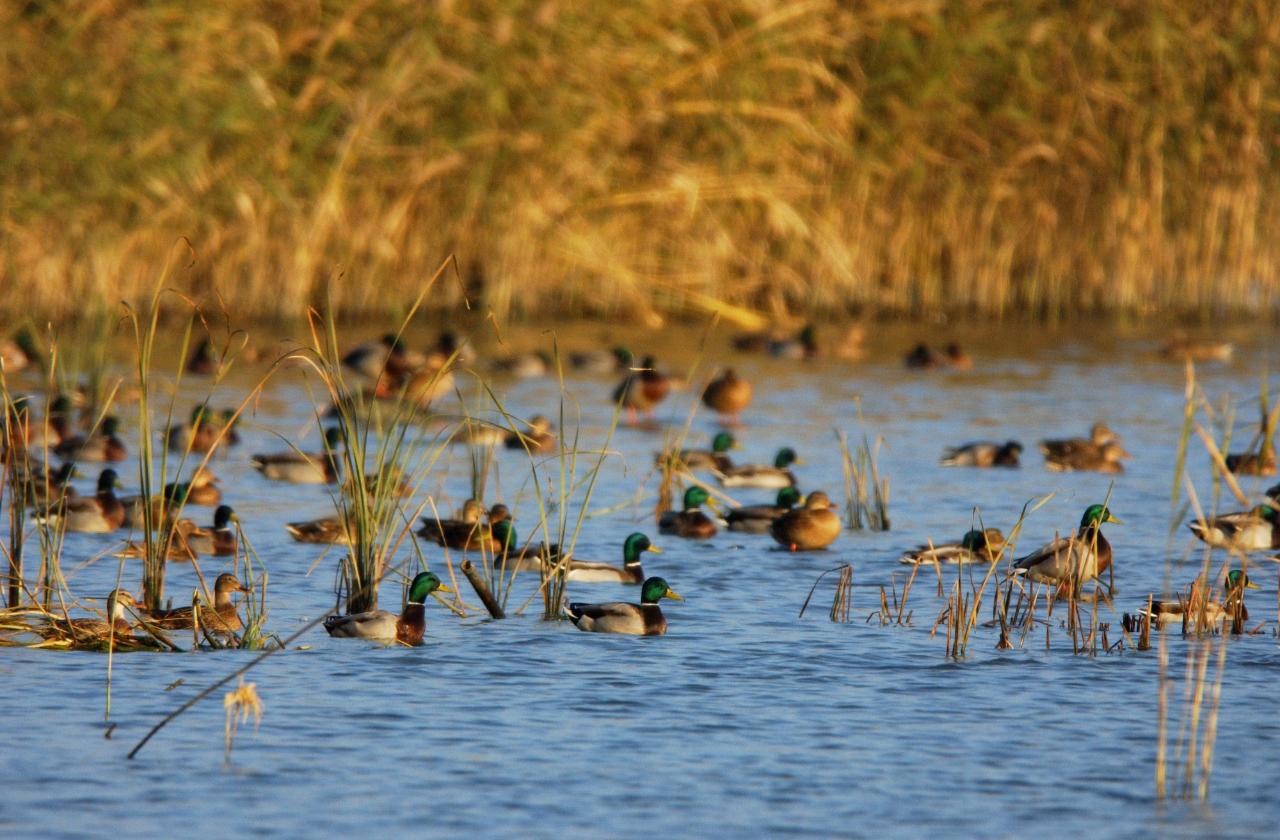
[744, 720]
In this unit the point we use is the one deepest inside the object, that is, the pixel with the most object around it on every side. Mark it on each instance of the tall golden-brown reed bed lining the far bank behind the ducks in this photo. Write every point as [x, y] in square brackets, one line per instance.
[884, 157]
